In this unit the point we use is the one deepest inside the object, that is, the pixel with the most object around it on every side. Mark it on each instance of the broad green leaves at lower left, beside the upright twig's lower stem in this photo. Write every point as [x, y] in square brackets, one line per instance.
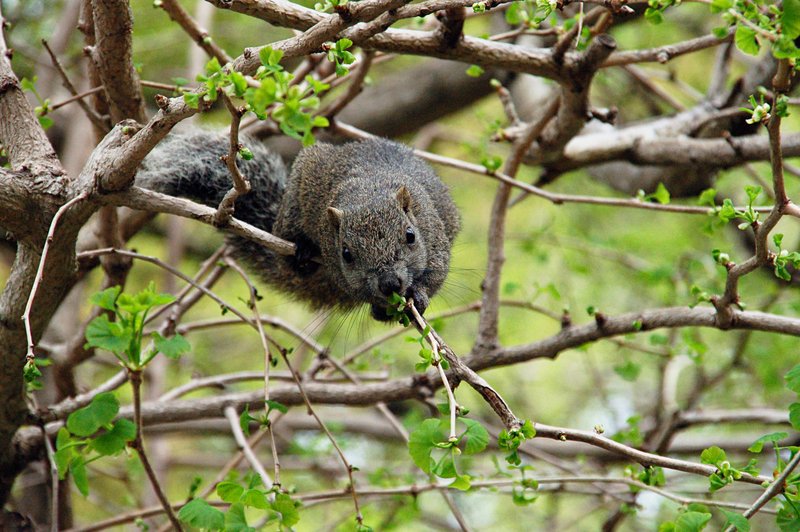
[89, 434]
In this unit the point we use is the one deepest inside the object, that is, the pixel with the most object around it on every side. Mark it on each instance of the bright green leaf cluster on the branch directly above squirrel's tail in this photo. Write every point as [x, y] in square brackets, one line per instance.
[268, 94]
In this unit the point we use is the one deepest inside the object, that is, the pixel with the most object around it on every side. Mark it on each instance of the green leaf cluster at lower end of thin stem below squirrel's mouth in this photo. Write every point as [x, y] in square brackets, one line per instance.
[438, 455]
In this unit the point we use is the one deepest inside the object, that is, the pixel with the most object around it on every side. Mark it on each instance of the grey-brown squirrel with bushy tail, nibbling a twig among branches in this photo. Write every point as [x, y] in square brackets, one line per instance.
[368, 218]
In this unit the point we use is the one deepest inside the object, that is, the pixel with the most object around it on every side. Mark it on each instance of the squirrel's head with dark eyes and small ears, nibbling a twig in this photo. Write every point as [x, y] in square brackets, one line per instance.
[380, 248]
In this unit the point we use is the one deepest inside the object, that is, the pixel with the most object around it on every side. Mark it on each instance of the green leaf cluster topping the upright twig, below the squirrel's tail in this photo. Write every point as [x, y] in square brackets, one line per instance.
[124, 335]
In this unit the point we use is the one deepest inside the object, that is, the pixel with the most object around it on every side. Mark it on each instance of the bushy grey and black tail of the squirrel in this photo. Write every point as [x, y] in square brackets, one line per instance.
[189, 165]
